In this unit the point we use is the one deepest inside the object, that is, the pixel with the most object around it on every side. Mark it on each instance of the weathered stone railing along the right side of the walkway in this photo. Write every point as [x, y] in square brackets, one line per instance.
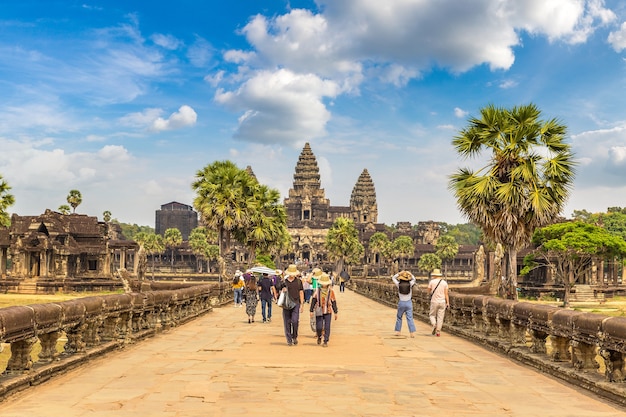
[584, 349]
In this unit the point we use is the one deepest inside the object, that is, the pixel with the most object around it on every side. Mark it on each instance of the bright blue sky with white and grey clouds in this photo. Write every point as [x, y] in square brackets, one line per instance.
[126, 101]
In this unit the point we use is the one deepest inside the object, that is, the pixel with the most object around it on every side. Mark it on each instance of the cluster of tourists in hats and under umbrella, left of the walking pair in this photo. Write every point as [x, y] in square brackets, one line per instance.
[287, 289]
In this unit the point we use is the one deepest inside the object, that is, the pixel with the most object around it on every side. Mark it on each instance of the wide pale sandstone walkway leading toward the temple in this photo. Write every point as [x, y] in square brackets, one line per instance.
[219, 365]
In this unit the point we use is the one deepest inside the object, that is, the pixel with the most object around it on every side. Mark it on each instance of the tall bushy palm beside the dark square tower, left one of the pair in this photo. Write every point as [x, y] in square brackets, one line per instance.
[224, 198]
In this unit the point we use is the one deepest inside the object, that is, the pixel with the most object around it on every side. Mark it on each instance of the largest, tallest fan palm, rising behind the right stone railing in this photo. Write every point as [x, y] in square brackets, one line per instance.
[525, 183]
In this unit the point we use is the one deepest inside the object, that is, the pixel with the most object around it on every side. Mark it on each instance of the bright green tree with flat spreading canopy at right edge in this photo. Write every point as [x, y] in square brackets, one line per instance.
[569, 249]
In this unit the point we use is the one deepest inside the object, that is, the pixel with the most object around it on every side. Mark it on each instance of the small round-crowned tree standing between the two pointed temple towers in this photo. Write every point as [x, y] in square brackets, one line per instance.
[342, 243]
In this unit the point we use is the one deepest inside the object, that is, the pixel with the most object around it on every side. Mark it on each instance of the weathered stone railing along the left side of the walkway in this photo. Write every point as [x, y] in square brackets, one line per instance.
[69, 333]
